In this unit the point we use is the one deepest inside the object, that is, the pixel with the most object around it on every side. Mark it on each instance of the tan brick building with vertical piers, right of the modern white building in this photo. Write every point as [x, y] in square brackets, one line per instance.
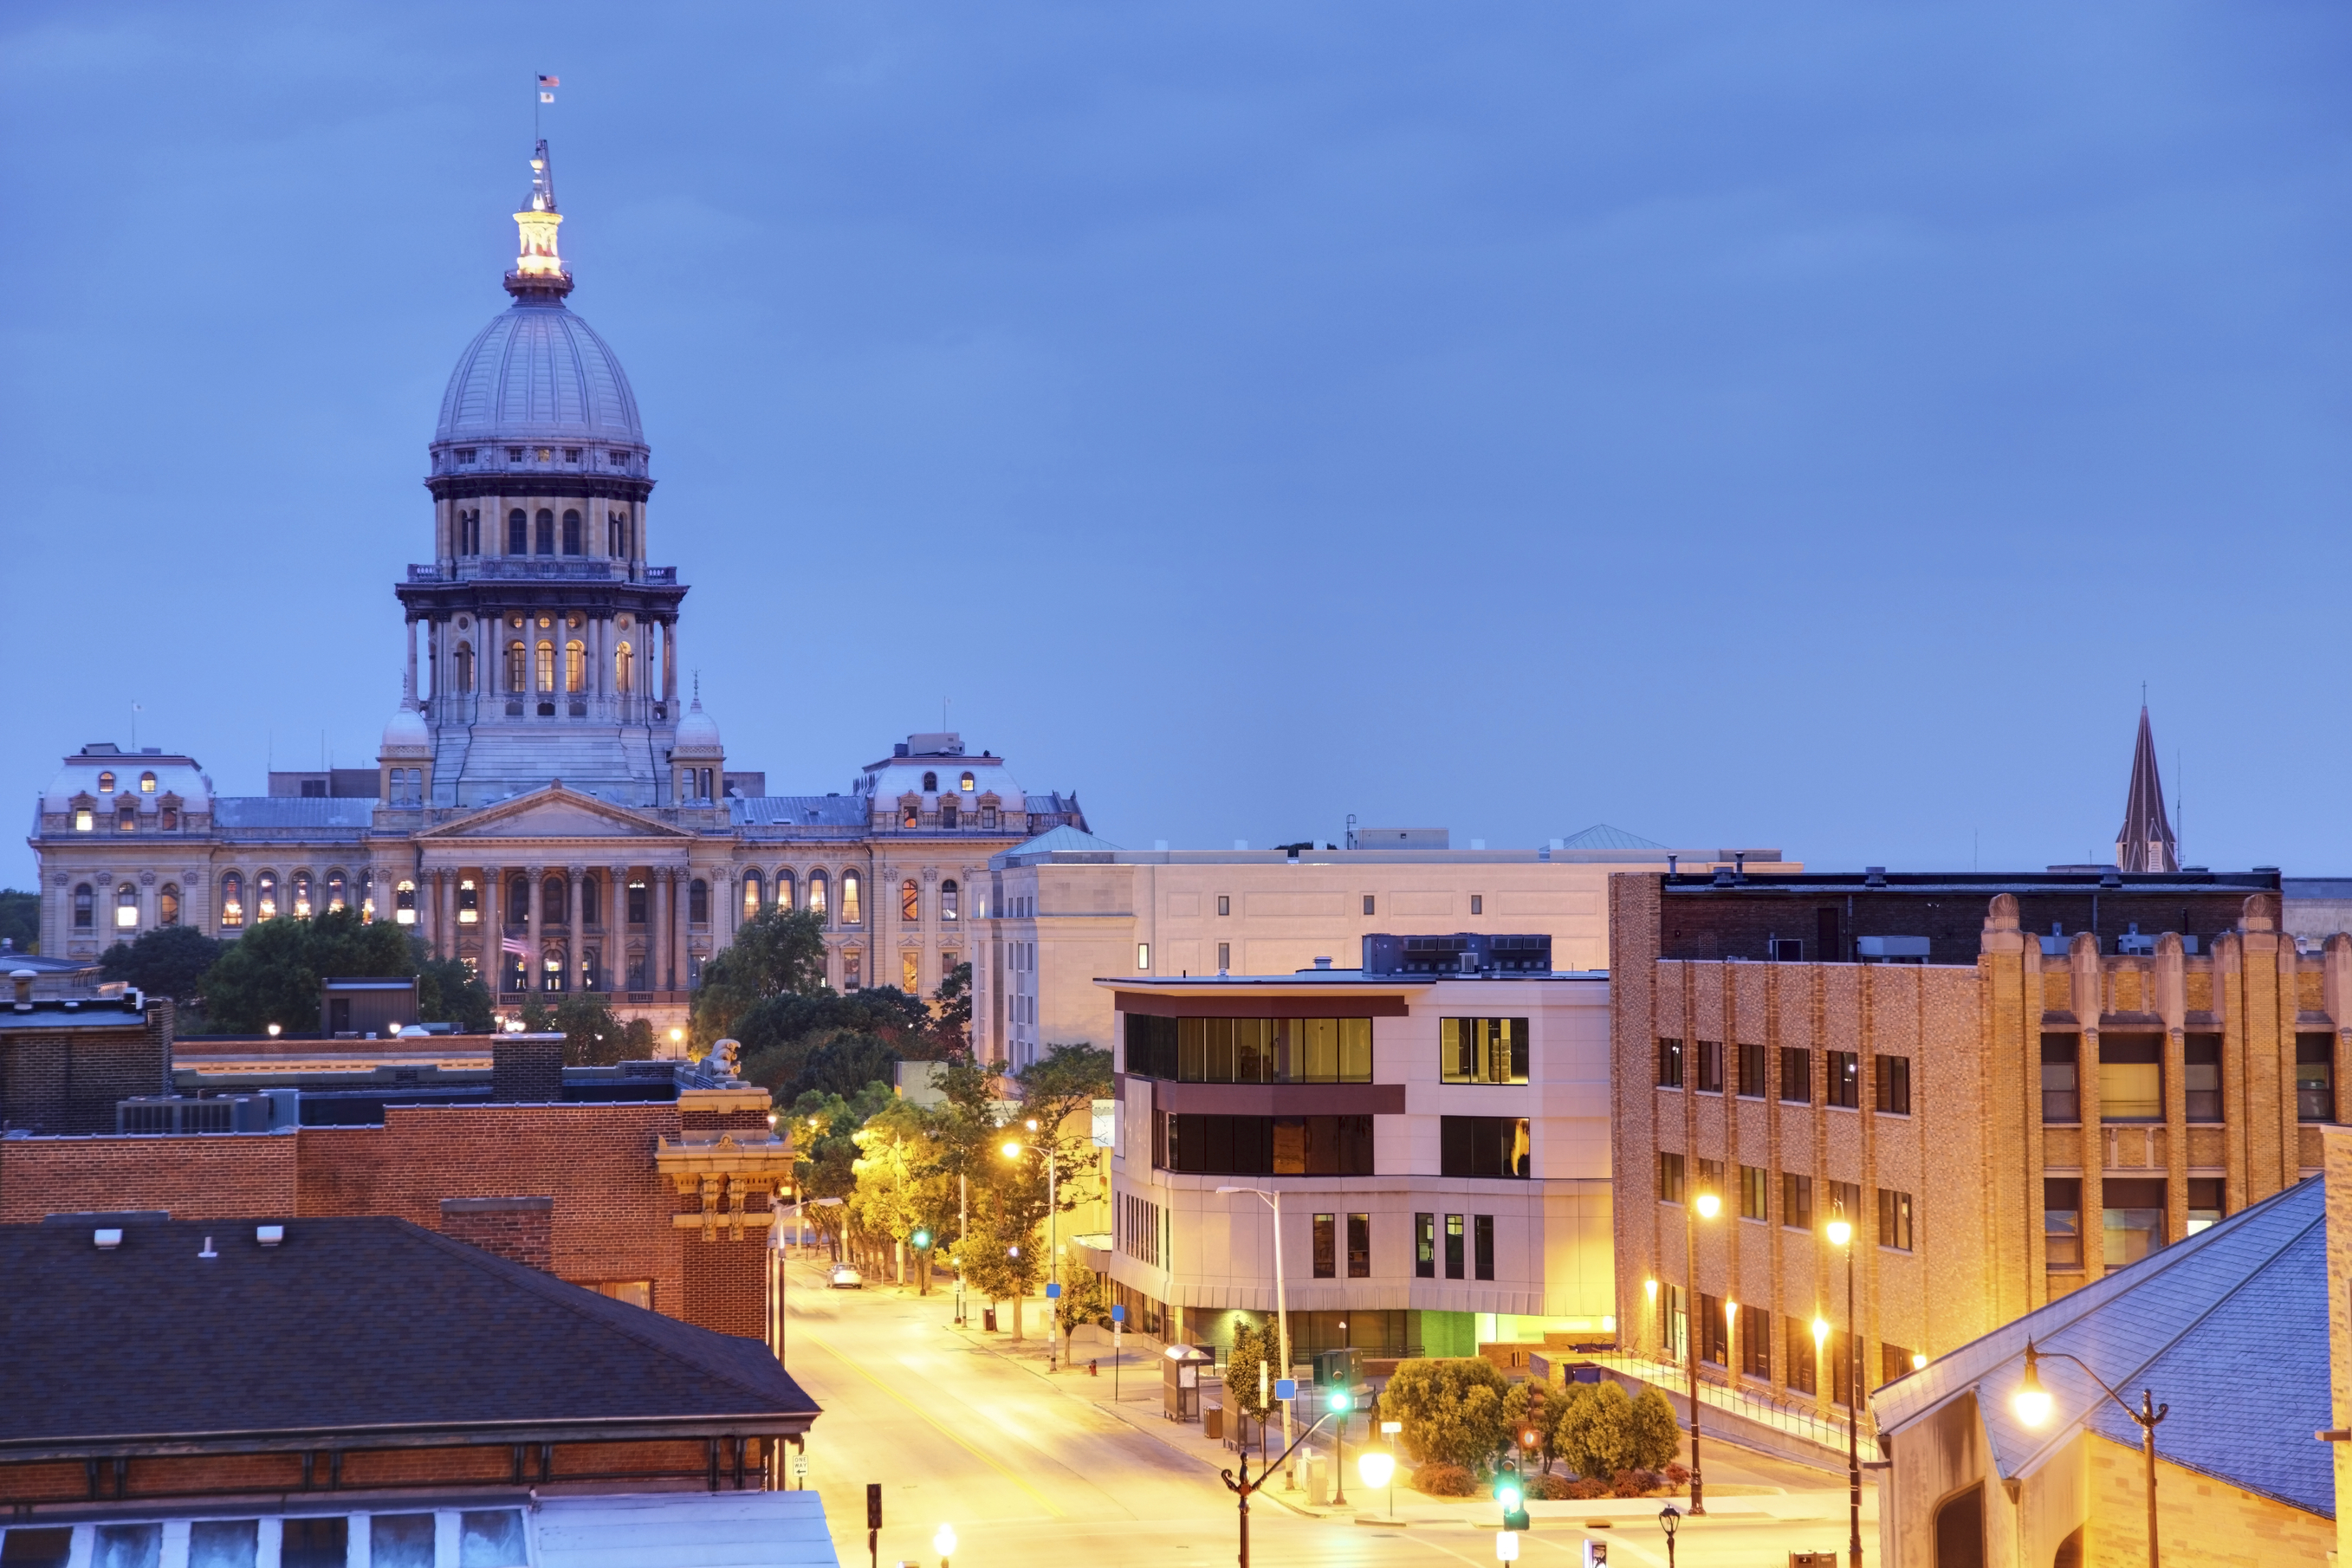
[2012, 1085]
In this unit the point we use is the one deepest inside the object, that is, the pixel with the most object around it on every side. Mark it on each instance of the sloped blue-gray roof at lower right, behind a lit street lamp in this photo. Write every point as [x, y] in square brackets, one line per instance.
[2229, 1327]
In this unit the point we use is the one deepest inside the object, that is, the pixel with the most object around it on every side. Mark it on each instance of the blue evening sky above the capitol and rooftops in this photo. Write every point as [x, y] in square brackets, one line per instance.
[1793, 424]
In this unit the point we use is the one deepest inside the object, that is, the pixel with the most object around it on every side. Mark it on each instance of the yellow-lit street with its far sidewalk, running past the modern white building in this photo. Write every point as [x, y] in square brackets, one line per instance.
[1045, 1470]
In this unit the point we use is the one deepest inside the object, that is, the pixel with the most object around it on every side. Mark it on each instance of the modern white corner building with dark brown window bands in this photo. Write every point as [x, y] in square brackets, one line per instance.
[1438, 1146]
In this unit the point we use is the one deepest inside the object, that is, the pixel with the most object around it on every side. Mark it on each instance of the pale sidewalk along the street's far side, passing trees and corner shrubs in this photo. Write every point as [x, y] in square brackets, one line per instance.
[1772, 1492]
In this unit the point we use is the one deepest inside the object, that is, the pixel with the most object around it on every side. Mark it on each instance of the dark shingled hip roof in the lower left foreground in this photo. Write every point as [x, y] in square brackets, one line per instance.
[359, 1329]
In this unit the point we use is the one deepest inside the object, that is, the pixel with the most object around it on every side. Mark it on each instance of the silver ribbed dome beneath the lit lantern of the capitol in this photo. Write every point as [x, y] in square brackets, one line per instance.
[540, 375]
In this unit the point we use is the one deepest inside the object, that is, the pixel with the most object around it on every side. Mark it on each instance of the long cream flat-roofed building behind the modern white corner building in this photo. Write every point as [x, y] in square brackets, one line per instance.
[1069, 909]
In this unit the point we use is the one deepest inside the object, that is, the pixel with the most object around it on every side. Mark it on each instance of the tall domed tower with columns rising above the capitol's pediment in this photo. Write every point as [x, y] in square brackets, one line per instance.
[549, 643]
